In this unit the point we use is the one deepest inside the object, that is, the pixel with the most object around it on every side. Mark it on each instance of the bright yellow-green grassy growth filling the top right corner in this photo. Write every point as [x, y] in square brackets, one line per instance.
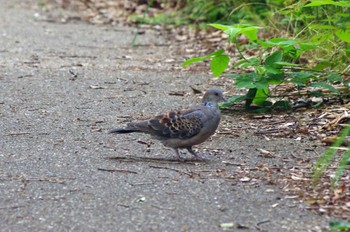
[324, 22]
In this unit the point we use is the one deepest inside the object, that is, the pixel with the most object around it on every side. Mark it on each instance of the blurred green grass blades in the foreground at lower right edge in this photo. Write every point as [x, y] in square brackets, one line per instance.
[324, 160]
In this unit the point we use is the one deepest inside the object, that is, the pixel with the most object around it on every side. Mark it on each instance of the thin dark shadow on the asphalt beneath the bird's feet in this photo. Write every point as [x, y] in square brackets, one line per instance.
[157, 160]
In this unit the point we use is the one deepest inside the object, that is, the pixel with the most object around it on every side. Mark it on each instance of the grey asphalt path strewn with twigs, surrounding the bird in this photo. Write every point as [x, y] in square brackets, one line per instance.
[64, 85]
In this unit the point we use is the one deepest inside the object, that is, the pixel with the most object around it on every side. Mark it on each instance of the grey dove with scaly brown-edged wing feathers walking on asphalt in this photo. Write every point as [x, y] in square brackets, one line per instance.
[182, 129]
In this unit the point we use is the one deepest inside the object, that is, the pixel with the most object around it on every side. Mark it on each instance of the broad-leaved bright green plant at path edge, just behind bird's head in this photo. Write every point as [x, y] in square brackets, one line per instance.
[274, 65]
